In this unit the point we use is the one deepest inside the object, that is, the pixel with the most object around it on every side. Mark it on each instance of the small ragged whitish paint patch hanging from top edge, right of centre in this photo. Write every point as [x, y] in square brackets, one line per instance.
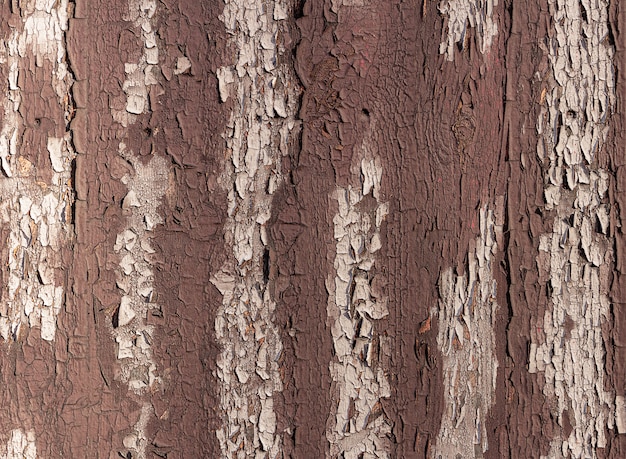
[461, 14]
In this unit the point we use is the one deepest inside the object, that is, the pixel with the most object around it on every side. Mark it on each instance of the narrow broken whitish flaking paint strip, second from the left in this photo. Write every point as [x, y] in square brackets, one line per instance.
[146, 187]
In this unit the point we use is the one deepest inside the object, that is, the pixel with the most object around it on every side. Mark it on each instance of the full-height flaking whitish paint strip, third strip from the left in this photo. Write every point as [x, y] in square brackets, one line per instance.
[256, 139]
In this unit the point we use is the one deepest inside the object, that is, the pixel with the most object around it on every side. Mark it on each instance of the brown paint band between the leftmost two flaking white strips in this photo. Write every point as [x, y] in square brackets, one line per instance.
[97, 413]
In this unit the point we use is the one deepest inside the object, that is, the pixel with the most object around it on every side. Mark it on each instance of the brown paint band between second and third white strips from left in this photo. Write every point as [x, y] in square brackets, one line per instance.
[186, 124]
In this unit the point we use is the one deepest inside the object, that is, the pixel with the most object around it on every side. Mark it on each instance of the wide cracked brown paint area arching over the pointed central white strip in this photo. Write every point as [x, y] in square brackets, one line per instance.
[359, 64]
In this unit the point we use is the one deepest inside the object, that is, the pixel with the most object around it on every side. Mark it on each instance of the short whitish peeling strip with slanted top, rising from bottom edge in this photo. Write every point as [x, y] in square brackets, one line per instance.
[466, 339]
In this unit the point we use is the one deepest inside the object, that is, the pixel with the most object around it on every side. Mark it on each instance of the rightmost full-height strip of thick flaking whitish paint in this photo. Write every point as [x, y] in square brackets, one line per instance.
[576, 257]
